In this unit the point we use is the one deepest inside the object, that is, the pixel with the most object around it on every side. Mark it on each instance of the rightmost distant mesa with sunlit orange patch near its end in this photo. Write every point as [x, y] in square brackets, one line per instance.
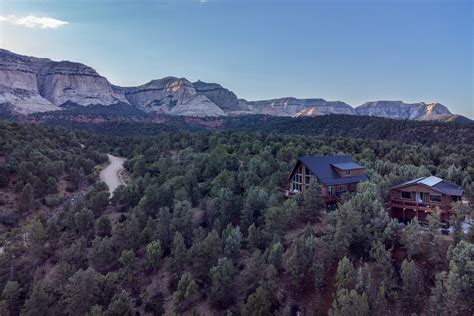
[404, 111]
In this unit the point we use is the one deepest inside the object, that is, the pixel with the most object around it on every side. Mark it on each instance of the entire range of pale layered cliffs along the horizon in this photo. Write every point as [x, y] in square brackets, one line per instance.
[31, 85]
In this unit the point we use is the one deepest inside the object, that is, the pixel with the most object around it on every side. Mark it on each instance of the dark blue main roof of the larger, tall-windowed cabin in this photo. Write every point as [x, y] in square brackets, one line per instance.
[321, 167]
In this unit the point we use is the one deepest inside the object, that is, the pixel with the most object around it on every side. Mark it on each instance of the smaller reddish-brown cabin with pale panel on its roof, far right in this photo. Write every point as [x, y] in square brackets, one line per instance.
[420, 197]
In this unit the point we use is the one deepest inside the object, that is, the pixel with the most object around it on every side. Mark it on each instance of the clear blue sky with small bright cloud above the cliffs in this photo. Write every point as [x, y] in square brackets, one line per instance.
[348, 50]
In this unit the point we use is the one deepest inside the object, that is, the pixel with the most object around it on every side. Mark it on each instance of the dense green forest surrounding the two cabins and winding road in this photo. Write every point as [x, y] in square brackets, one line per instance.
[200, 228]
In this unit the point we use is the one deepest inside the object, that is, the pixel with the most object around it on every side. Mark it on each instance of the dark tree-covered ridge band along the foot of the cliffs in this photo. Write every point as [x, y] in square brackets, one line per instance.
[123, 121]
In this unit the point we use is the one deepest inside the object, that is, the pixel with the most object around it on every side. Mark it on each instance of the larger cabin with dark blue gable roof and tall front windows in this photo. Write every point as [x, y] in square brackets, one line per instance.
[336, 175]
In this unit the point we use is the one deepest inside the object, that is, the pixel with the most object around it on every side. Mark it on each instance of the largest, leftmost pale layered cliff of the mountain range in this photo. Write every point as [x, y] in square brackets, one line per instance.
[29, 84]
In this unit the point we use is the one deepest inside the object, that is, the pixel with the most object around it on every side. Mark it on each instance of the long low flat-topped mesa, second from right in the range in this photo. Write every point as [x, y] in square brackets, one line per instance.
[299, 107]
